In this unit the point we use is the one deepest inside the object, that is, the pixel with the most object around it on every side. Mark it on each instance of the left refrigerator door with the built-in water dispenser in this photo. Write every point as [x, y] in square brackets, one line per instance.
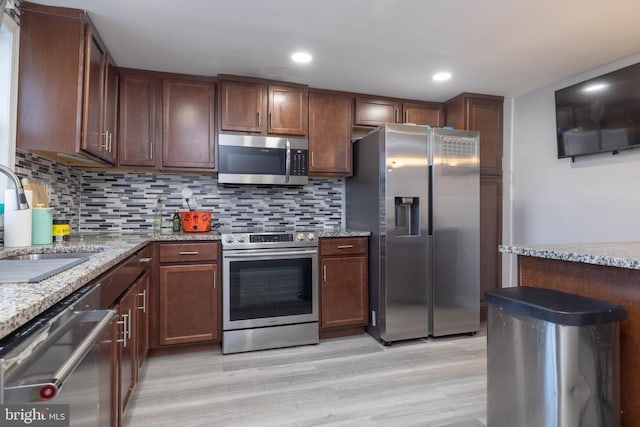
[407, 244]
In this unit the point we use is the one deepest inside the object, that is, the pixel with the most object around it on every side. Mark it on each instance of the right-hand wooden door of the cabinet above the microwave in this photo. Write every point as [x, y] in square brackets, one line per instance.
[288, 110]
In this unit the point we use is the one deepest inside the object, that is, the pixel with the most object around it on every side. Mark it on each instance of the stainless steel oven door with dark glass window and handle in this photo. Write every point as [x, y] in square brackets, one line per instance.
[268, 287]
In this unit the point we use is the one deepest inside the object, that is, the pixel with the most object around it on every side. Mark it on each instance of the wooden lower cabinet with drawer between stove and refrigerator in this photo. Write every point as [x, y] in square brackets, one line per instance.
[344, 283]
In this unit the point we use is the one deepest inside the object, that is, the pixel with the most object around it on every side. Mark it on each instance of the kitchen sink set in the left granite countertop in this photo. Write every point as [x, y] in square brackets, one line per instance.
[33, 268]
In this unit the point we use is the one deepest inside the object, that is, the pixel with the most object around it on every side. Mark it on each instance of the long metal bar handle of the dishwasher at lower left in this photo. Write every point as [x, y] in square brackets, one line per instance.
[50, 389]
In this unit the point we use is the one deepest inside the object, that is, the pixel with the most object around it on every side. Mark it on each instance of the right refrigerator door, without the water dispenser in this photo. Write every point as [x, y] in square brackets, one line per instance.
[456, 232]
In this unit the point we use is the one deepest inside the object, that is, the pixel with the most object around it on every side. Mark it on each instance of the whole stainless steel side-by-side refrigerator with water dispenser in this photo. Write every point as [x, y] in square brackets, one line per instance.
[417, 190]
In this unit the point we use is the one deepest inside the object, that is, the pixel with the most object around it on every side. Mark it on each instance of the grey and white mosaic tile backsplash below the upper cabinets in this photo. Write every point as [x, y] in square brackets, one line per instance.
[121, 201]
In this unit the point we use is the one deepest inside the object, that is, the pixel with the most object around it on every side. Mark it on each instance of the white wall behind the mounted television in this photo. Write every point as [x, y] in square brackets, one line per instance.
[551, 200]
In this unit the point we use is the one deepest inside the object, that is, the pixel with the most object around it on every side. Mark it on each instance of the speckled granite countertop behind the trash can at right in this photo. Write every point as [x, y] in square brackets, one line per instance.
[618, 254]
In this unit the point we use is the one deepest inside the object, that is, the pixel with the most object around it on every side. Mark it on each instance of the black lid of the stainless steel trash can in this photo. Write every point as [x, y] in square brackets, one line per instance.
[555, 306]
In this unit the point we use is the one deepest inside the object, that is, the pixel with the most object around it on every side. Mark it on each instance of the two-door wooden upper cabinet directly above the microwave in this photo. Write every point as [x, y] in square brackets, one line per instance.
[262, 107]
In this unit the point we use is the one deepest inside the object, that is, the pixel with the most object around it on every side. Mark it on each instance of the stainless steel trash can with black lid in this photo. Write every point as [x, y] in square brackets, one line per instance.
[552, 359]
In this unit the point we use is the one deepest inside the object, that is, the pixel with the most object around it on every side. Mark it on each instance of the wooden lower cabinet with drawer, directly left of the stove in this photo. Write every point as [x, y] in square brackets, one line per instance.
[188, 294]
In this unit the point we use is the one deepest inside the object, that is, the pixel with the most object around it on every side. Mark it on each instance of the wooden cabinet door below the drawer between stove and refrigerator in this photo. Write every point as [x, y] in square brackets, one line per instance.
[344, 300]
